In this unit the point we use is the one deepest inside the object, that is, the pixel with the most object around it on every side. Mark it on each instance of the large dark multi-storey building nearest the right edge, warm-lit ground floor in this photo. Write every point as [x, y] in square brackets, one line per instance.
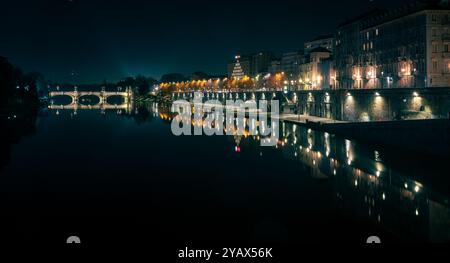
[403, 48]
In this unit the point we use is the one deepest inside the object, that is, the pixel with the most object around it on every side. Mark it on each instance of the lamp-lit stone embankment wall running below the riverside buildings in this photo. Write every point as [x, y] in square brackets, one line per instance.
[352, 105]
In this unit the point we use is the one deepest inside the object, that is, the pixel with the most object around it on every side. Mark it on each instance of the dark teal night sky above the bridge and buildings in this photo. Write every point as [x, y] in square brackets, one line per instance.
[111, 39]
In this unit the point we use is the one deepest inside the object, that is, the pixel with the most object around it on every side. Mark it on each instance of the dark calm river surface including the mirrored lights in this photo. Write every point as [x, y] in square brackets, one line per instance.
[126, 178]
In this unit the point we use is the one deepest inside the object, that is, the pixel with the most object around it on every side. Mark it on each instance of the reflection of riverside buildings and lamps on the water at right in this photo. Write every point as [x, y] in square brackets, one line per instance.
[367, 188]
